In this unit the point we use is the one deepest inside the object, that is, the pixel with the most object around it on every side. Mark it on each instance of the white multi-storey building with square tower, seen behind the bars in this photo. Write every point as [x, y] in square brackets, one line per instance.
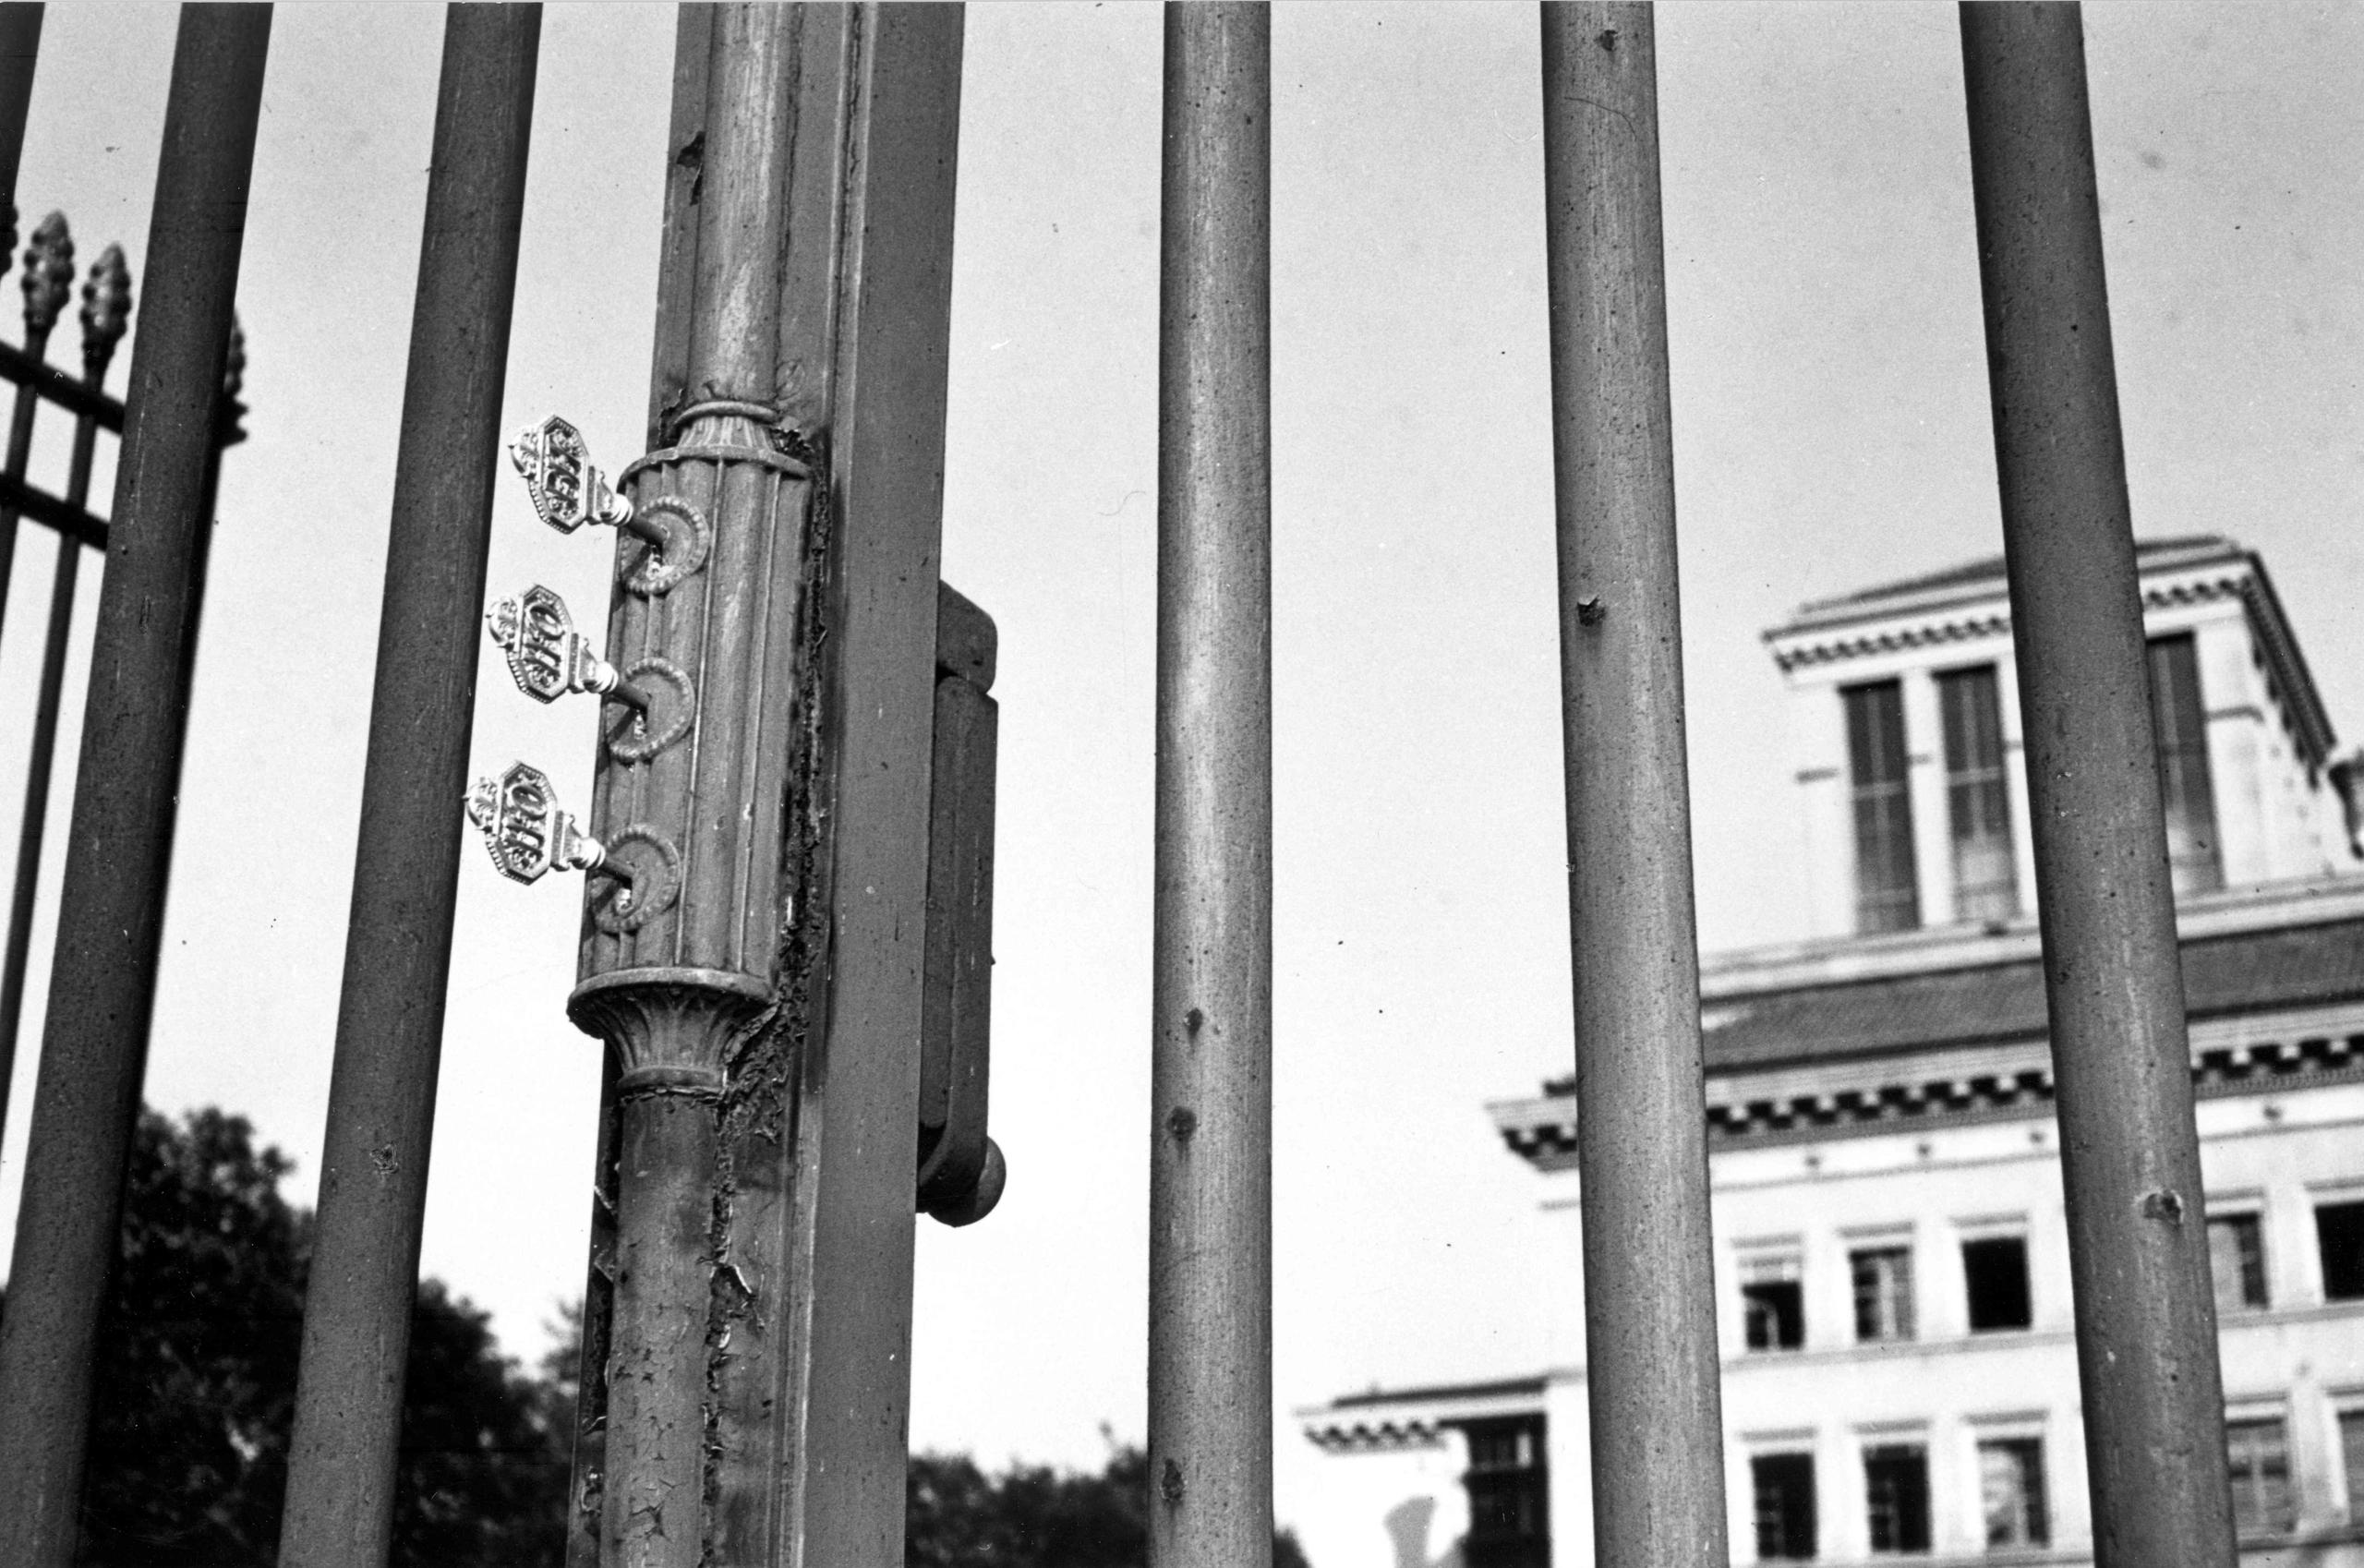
[1892, 1264]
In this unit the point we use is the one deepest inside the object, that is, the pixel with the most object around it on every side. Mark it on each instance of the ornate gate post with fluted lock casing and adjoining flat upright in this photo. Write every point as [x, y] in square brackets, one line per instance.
[758, 966]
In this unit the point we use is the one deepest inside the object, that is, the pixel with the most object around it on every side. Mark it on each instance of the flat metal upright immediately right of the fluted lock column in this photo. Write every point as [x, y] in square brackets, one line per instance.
[876, 292]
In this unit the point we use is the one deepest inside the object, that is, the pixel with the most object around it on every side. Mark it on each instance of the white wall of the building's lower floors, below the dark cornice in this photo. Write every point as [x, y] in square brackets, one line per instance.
[2299, 1356]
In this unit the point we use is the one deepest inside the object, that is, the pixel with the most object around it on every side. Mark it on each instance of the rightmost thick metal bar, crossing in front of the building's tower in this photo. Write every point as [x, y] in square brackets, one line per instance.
[2138, 1240]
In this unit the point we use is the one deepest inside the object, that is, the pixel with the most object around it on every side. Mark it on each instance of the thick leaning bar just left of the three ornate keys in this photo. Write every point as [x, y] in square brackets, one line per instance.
[398, 947]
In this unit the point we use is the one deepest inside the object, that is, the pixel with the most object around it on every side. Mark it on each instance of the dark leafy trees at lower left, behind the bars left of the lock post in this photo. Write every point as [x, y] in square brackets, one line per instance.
[197, 1385]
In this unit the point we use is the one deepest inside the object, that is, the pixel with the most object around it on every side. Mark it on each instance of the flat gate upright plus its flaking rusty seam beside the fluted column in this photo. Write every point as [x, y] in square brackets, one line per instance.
[864, 356]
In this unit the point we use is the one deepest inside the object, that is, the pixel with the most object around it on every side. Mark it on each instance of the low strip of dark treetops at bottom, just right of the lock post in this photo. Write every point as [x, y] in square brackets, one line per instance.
[1037, 1517]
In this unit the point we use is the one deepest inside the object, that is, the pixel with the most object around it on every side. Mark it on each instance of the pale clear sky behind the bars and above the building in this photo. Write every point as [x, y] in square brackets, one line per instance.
[1831, 432]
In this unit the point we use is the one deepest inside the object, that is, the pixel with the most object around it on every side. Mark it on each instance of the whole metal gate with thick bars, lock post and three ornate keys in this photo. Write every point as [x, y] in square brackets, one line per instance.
[788, 850]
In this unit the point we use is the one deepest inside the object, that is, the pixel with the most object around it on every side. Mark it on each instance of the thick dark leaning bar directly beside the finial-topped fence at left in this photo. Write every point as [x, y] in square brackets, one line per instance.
[112, 914]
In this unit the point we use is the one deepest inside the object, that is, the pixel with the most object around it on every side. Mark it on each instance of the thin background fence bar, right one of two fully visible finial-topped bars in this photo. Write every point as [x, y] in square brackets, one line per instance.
[108, 302]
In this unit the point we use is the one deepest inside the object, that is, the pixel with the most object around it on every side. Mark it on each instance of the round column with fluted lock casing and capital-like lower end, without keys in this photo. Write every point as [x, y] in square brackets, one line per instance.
[673, 994]
